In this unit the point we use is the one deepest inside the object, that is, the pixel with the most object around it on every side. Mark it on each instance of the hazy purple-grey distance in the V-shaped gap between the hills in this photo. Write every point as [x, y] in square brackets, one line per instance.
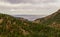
[30, 17]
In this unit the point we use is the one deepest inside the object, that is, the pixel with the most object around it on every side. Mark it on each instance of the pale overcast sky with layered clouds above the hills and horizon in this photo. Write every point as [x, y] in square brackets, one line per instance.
[29, 7]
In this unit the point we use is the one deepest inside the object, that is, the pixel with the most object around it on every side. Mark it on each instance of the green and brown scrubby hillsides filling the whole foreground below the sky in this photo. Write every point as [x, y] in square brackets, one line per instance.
[19, 27]
